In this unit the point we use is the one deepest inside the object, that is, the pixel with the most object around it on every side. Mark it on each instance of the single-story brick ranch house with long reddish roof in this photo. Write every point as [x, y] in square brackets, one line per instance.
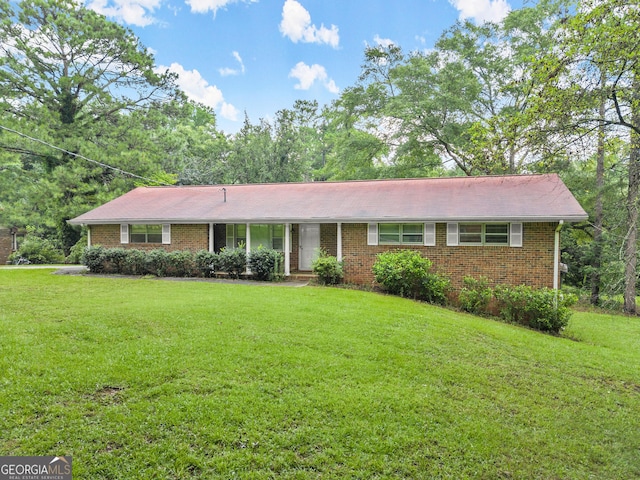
[506, 228]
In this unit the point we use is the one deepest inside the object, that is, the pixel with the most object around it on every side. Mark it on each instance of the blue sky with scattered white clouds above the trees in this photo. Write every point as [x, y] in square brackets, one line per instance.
[259, 56]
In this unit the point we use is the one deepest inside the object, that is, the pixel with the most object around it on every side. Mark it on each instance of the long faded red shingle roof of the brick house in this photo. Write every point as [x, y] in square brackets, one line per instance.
[496, 198]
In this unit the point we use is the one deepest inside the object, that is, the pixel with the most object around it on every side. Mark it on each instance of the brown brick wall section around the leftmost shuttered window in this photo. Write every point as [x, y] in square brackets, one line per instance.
[183, 237]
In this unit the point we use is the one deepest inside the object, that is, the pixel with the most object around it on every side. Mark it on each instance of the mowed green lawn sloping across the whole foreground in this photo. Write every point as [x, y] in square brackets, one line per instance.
[146, 379]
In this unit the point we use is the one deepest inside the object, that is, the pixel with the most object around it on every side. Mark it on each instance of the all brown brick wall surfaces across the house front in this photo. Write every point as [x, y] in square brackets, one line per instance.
[528, 264]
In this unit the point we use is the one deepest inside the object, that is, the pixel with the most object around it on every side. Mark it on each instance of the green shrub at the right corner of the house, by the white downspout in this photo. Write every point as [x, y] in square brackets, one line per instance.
[542, 309]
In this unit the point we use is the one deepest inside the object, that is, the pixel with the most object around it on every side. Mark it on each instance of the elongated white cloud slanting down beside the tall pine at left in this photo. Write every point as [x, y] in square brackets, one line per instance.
[199, 90]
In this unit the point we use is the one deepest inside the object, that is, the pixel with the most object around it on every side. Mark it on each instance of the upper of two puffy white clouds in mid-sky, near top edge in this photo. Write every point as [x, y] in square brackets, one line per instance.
[296, 24]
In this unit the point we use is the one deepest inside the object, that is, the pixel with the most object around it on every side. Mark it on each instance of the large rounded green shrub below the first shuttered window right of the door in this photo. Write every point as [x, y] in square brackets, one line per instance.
[402, 272]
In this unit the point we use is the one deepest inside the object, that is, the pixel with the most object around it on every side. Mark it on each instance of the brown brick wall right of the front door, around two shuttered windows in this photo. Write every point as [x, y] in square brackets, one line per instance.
[531, 264]
